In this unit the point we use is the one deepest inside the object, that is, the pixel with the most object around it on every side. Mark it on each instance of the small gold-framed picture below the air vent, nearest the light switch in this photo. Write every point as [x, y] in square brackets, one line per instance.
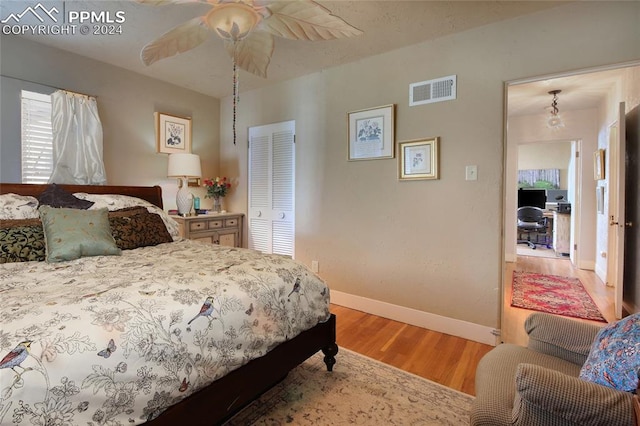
[418, 159]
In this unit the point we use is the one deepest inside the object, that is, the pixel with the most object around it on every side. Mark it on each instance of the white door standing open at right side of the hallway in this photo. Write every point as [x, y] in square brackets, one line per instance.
[617, 150]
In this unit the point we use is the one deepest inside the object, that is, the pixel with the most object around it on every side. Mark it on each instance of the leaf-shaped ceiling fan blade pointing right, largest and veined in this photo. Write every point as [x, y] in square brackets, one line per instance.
[306, 20]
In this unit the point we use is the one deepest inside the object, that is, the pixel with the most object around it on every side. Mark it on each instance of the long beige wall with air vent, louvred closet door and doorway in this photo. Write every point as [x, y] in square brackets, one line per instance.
[432, 246]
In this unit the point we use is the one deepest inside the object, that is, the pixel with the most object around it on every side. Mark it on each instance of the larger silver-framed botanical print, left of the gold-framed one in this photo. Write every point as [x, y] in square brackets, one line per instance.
[371, 133]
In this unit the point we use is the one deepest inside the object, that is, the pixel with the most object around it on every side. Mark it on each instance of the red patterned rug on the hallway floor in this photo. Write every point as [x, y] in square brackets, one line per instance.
[553, 294]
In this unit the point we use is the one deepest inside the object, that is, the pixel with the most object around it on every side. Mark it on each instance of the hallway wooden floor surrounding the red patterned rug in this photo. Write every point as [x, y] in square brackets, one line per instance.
[513, 318]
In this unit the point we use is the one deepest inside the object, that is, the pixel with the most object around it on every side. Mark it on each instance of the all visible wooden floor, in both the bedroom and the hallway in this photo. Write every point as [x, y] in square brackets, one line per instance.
[449, 360]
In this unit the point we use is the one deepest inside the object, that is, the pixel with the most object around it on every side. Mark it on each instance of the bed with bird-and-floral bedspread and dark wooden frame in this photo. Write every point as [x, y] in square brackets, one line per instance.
[160, 334]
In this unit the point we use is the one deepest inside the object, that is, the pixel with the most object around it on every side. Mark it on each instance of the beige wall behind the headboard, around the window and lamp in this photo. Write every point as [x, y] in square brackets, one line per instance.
[126, 103]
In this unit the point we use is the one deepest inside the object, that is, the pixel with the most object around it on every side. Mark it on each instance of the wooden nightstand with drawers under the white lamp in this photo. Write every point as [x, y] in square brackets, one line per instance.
[218, 228]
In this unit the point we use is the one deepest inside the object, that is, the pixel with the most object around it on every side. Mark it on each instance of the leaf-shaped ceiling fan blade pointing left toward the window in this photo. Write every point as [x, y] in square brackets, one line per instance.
[177, 40]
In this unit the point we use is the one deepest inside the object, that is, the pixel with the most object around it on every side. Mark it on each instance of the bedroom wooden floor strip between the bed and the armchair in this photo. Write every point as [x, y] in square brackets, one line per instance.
[448, 360]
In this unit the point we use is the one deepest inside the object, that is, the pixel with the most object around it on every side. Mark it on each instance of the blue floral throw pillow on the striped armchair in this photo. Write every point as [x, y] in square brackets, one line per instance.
[614, 358]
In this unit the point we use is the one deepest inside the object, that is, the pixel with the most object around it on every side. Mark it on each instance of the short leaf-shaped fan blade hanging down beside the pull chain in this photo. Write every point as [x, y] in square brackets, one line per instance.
[253, 54]
